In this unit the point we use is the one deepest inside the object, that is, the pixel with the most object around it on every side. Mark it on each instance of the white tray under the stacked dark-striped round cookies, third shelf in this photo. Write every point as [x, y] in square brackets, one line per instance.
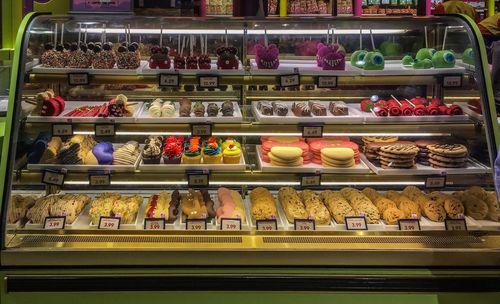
[472, 167]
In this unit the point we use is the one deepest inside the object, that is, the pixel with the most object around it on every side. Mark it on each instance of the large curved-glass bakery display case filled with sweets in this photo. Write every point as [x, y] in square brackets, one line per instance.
[157, 142]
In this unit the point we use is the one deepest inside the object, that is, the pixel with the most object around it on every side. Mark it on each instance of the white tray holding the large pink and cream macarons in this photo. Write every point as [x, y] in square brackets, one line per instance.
[360, 168]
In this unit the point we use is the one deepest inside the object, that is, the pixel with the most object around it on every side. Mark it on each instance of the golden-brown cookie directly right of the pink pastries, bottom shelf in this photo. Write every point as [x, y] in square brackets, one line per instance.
[263, 205]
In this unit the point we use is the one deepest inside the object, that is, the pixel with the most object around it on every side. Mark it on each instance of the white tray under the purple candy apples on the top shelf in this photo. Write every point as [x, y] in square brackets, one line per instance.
[305, 67]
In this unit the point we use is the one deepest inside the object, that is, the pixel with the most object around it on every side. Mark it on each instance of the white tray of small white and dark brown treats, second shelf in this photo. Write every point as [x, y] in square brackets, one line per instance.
[144, 117]
